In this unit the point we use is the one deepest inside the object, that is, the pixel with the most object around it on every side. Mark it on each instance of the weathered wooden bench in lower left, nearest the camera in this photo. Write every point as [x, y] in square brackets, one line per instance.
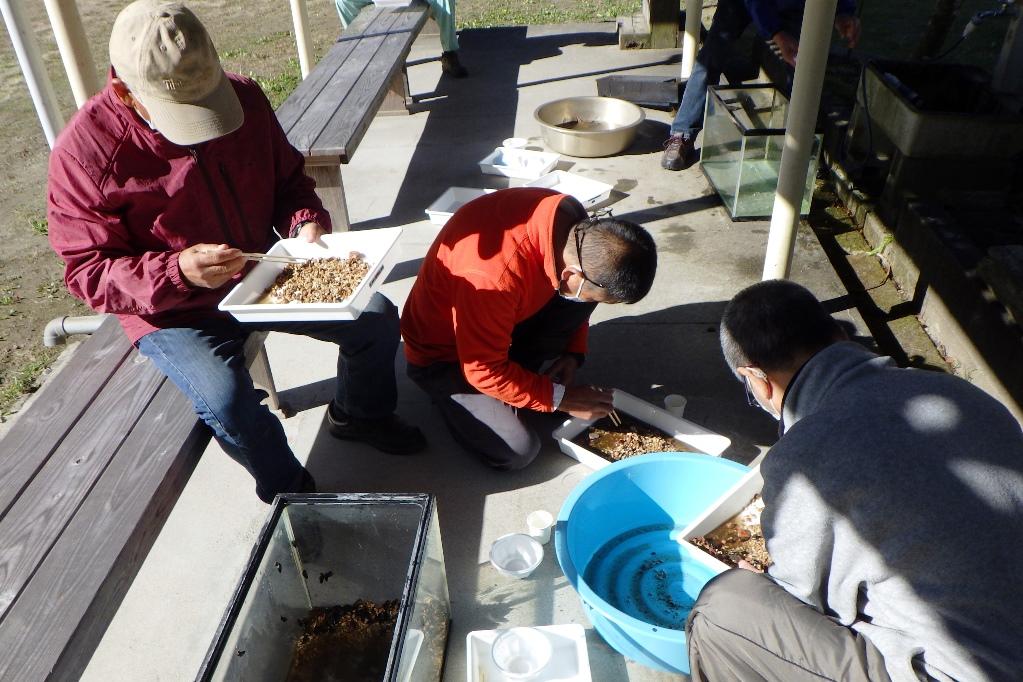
[88, 475]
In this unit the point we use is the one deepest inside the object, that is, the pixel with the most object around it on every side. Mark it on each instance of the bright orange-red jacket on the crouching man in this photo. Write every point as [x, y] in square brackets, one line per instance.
[492, 267]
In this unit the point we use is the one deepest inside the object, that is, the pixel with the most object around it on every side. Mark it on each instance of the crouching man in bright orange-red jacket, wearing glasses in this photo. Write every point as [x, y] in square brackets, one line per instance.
[499, 315]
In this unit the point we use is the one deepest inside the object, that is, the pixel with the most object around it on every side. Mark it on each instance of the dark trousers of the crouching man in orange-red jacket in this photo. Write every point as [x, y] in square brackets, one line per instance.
[484, 426]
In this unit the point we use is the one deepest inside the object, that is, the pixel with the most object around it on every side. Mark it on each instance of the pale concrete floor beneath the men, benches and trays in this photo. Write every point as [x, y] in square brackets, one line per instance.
[665, 344]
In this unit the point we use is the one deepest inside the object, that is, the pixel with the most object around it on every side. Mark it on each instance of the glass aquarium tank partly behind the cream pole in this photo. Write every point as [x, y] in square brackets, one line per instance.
[744, 135]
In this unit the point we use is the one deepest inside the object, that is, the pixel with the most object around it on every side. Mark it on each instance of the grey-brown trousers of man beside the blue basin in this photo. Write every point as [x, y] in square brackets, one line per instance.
[746, 627]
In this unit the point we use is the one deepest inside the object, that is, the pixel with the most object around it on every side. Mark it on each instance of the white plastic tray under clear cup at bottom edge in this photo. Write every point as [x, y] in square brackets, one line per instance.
[569, 661]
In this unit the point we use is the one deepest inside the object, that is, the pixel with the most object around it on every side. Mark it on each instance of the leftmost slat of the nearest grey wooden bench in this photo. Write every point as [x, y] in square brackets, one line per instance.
[39, 431]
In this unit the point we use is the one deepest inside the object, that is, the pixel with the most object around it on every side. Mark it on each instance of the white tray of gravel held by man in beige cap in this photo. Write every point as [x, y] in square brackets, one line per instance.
[378, 247]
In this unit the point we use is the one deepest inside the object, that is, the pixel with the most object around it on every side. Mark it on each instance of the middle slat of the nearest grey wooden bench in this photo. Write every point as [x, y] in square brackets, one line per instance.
[38, 518]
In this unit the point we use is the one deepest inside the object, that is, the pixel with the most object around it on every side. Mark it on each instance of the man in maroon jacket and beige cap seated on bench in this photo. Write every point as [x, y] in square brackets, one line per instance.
[157, 187]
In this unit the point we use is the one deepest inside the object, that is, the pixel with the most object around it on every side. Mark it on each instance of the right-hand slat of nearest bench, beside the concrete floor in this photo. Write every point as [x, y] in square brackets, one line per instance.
[87, 573]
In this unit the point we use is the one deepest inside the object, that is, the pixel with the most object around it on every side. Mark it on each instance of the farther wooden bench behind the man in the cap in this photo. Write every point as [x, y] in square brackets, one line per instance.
[328, 115]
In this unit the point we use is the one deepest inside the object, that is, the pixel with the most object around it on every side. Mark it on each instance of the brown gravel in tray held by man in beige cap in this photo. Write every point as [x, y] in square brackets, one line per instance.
[320, 281]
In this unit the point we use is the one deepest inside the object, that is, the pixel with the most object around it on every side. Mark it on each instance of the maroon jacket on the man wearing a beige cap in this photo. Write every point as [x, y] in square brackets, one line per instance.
[124, 201]
